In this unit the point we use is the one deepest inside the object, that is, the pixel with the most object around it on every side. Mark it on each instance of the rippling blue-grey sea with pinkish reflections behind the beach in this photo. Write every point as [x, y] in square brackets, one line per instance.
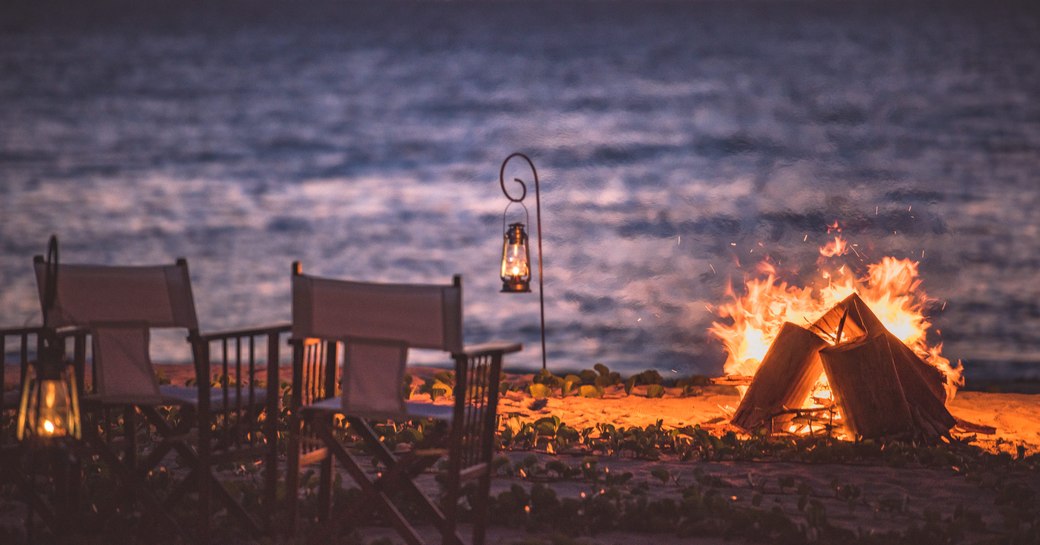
[679, 144]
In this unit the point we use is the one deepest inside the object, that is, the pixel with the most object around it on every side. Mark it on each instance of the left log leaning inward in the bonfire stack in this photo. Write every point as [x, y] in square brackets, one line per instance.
[785, 380]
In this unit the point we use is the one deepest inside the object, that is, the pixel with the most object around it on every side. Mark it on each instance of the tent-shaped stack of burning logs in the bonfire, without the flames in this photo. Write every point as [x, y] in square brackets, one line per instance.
[880, 386]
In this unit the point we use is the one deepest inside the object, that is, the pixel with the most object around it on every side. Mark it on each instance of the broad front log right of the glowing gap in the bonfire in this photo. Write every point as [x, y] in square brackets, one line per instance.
[867, 385]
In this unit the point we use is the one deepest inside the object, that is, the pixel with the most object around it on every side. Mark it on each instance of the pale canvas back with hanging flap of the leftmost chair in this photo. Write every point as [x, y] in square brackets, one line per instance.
[119, 305]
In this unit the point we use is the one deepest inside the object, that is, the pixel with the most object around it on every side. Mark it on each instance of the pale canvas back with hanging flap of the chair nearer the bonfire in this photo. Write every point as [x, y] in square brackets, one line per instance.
[378, 324]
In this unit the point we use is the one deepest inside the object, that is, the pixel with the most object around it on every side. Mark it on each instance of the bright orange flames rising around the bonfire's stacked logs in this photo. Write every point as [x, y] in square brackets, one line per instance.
[891, 289]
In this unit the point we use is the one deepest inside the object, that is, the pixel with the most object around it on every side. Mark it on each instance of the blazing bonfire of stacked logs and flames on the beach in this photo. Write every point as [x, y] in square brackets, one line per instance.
[867, 333]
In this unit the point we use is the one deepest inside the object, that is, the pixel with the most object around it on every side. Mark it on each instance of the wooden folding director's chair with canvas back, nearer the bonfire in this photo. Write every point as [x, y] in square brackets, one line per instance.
[372, 327]
